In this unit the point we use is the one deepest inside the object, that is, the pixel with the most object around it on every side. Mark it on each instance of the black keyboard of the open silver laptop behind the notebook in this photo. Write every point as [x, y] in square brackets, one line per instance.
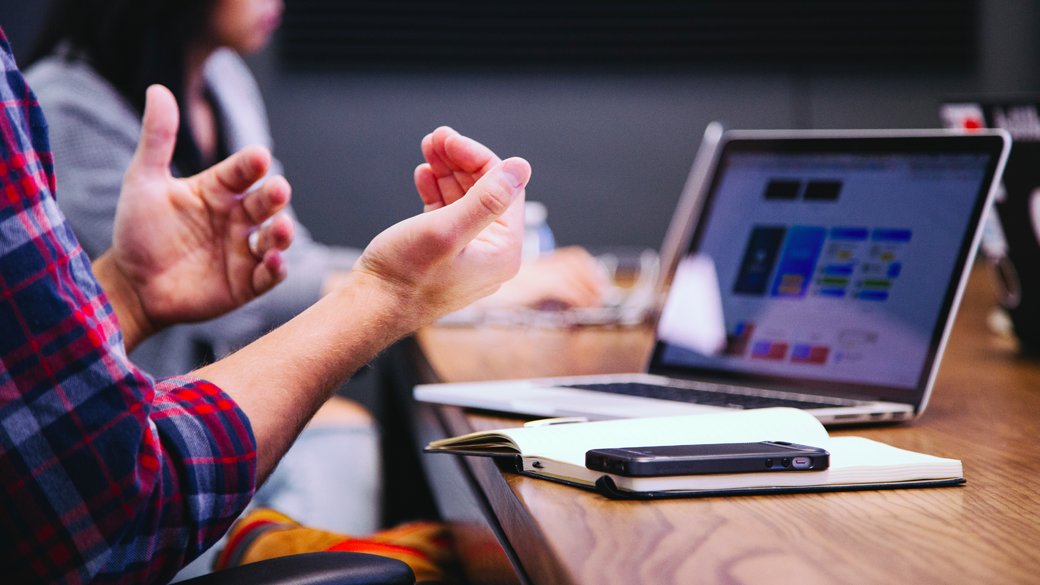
[709, 398]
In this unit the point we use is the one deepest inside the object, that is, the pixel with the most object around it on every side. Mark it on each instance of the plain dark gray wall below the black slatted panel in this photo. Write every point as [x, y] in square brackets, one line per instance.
[610, 149]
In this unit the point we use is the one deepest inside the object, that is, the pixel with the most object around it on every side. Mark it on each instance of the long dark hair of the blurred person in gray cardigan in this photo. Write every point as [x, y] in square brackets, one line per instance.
[133, 44]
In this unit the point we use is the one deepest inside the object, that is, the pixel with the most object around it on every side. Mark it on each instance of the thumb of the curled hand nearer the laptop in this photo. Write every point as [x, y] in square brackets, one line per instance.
[488, 200]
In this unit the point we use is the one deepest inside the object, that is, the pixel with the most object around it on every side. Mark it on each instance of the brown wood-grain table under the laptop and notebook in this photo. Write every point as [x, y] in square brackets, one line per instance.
[985, 411]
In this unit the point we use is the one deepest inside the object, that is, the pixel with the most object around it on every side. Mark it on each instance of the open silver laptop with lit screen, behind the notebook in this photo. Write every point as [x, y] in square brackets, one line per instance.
[836, 262]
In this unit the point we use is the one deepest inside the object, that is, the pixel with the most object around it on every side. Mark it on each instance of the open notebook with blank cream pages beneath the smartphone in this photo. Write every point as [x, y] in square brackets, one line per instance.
[558, 453]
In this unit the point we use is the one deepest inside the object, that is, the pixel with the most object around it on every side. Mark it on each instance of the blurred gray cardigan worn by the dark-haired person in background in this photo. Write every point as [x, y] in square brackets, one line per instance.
[94, 133]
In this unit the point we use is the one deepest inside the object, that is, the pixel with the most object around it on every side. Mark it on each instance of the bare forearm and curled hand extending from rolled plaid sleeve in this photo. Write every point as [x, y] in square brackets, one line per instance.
[463, 248]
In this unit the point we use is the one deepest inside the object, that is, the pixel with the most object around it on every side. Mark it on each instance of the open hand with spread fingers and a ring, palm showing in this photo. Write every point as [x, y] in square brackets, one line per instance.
[181, 247]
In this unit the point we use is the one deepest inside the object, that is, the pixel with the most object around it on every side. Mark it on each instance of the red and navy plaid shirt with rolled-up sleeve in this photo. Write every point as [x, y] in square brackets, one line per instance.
[108, 476]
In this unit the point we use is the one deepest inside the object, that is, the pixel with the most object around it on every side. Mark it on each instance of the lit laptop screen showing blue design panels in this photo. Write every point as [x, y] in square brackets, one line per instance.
[838, 261]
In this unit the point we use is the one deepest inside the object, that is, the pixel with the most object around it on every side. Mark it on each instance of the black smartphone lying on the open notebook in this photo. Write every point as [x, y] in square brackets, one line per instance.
[718, 459]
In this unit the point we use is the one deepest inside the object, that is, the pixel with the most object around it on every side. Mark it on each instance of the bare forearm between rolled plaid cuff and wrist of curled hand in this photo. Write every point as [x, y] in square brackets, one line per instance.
[283, 378]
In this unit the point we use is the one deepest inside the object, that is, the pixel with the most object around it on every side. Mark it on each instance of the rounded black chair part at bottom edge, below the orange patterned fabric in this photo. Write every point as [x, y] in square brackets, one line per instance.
[315, 569]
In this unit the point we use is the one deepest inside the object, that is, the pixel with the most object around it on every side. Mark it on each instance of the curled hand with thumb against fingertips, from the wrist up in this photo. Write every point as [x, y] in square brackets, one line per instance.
[469, 241]
